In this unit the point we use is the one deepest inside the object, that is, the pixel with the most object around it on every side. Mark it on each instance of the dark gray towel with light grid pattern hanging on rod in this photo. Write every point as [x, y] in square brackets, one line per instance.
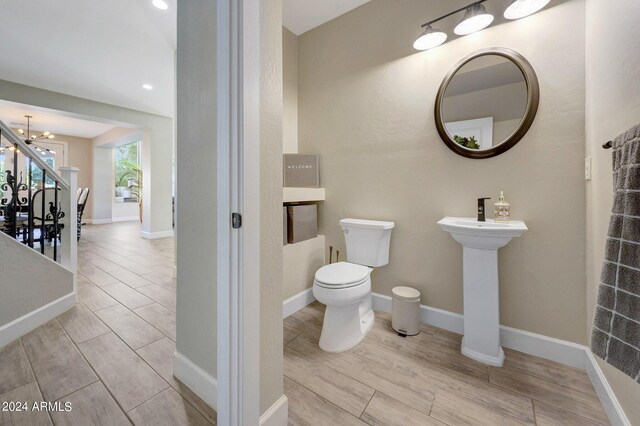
[616, 328]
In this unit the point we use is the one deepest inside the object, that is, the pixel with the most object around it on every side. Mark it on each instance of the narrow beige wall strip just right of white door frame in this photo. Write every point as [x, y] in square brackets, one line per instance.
[271, 279]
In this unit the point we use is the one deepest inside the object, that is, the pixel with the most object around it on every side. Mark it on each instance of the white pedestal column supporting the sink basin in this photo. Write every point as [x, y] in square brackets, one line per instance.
[481, 340]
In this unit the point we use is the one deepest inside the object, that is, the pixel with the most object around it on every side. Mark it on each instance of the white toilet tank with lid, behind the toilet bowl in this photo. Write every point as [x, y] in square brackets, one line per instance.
[367, 241]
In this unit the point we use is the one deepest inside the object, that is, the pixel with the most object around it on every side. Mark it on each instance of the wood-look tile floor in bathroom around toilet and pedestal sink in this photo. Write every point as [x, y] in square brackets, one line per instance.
[424, 380]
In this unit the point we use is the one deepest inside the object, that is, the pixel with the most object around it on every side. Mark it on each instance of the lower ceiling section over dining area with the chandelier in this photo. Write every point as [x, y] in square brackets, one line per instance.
[49, 120]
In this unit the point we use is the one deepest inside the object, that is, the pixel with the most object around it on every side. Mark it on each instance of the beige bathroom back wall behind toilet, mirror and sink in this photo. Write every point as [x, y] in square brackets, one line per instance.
[366, 102]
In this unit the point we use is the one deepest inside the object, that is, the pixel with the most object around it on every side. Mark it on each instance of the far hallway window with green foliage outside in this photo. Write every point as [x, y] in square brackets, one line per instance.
[128, 173]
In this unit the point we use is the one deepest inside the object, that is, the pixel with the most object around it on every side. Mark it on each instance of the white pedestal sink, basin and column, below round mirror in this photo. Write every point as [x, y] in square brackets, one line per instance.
[480, 242]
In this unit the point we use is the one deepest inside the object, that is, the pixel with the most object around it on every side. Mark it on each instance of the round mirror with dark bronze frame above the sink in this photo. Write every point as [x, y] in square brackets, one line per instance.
[486, 103]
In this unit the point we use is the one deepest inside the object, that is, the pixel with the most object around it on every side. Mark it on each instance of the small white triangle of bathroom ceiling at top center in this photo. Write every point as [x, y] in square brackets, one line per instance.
[300, 16]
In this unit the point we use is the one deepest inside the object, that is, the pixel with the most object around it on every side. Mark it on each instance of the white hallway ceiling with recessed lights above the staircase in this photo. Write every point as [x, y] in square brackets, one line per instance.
[98, 50]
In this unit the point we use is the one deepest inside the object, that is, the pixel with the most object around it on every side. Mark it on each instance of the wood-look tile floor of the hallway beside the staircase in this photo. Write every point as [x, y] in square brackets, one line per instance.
[111, 355]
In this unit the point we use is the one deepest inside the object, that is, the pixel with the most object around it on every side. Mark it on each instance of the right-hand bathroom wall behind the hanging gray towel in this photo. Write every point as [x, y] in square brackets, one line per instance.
[613, 106]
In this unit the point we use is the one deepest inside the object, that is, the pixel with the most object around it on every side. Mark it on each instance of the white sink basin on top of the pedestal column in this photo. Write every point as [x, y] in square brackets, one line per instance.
[489, 235]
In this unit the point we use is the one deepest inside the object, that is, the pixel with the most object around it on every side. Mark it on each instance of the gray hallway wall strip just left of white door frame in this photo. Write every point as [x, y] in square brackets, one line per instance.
[196, 183]
